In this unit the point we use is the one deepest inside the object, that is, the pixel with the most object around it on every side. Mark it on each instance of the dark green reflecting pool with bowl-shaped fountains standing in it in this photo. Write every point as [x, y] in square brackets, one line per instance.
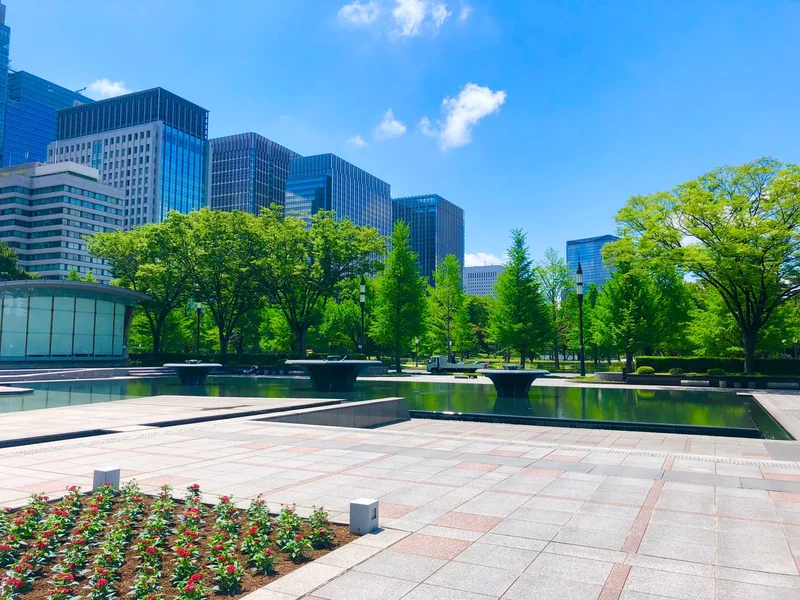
[642, 406]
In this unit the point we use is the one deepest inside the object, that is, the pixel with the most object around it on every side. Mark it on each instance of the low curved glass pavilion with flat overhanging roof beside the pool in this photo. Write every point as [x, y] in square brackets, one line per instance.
[47, 321]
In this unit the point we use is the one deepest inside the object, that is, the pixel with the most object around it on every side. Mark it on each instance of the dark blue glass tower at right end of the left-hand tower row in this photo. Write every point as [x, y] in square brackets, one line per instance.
[437, 229]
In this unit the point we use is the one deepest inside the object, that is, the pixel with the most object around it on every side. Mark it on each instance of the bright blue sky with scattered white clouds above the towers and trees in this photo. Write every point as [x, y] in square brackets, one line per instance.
[573, 107]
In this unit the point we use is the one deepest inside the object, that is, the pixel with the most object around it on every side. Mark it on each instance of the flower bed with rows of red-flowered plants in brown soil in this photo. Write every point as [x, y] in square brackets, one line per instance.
[121, 543]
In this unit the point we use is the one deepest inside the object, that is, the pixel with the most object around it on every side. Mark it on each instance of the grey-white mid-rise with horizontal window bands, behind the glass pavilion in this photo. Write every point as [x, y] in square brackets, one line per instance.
[45, 212]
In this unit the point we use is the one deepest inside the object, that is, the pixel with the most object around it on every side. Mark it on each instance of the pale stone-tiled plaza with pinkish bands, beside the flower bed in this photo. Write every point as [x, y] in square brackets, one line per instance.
[478, 511]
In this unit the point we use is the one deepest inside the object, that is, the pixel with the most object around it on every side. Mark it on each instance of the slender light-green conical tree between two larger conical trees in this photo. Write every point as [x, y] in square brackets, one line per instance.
[448, 321]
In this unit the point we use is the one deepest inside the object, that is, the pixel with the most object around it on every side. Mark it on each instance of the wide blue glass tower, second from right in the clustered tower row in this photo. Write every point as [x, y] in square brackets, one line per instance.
[326, 182]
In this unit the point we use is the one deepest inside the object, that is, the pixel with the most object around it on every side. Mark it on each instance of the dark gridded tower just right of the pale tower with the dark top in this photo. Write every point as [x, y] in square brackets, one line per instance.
[248, 172]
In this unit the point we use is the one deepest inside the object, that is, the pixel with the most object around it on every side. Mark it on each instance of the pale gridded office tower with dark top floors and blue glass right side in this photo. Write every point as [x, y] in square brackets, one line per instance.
[153, 145]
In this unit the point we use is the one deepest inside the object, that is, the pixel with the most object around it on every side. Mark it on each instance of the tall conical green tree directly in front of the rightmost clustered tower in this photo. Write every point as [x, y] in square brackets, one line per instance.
[400, 306]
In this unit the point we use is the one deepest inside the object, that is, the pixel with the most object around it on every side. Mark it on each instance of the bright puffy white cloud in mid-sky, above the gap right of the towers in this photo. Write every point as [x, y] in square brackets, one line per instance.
[462, 113]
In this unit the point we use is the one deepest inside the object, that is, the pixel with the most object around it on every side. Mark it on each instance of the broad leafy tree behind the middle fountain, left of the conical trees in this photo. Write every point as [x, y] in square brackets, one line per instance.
[301, 266]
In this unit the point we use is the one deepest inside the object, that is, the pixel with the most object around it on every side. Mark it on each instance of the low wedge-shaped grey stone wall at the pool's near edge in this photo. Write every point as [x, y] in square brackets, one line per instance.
[366, 414]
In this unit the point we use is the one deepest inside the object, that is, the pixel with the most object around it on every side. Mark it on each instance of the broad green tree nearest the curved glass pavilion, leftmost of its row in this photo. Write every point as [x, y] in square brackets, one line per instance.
[143, 259]
